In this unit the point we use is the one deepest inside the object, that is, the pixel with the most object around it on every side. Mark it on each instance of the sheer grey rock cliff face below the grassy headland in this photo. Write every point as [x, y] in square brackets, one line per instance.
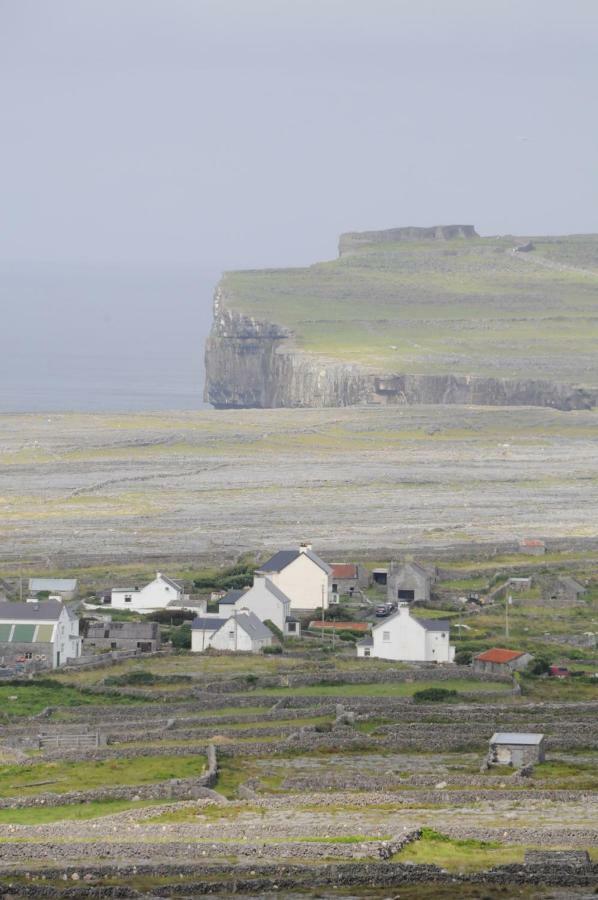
[249, 363]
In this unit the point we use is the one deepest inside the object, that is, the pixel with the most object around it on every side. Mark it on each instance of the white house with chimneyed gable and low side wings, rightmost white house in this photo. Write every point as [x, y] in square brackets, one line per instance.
[405, 638]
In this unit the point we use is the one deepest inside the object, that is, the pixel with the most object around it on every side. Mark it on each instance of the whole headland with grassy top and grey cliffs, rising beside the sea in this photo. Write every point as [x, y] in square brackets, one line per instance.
[412, 315]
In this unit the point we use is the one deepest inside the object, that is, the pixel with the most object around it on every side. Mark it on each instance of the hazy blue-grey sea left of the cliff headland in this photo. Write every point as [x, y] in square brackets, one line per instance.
[103, 337]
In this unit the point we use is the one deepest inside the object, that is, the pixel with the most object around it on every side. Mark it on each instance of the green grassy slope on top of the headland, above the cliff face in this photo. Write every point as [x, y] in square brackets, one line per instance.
[464, 306]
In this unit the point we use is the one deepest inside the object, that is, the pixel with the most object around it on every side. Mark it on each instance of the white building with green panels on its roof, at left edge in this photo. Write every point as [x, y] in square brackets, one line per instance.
[38, 634]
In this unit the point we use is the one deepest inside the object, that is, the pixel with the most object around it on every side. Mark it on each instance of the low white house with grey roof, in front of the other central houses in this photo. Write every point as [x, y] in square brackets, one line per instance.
[241, 632]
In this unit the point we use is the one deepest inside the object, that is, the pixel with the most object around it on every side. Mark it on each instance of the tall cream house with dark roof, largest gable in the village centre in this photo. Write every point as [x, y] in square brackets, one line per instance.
[302, 576]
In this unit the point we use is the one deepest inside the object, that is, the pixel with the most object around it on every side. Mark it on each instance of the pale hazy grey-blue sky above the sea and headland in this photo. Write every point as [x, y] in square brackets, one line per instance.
[201, 135]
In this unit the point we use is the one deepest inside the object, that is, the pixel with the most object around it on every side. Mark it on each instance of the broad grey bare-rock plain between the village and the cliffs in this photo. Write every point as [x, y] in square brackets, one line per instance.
[76, 489]
